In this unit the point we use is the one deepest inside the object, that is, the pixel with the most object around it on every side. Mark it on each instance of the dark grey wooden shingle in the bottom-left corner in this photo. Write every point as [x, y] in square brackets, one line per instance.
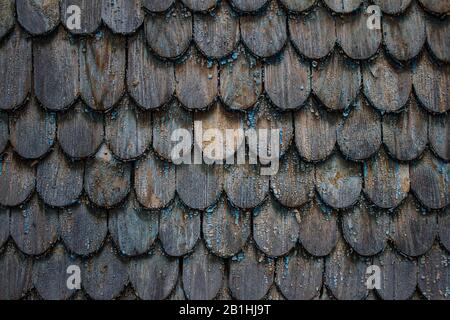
[16, 275]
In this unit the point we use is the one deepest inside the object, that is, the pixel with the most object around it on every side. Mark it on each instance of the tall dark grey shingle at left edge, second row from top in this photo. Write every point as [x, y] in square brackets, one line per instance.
[16, 65]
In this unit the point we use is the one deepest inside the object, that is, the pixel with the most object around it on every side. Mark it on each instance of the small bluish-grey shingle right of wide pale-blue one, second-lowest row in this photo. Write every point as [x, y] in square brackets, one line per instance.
[179, 229]
